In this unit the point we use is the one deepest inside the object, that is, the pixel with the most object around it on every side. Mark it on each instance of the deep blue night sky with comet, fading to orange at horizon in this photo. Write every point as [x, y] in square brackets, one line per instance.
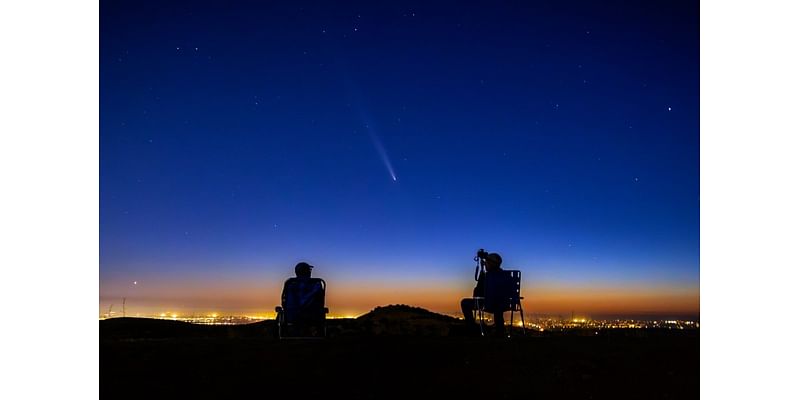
[386, 142]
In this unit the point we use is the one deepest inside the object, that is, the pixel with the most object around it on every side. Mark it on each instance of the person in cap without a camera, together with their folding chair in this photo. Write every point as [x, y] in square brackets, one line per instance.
[302, 311]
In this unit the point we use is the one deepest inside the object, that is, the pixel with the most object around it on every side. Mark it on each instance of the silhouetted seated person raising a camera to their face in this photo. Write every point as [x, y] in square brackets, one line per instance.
[490, 263]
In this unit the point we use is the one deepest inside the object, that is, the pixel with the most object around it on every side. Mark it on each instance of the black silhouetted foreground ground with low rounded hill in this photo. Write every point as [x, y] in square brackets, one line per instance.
[392, 353]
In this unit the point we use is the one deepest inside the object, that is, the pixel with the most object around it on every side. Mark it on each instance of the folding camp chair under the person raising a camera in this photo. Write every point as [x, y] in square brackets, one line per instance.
[502, 293]
